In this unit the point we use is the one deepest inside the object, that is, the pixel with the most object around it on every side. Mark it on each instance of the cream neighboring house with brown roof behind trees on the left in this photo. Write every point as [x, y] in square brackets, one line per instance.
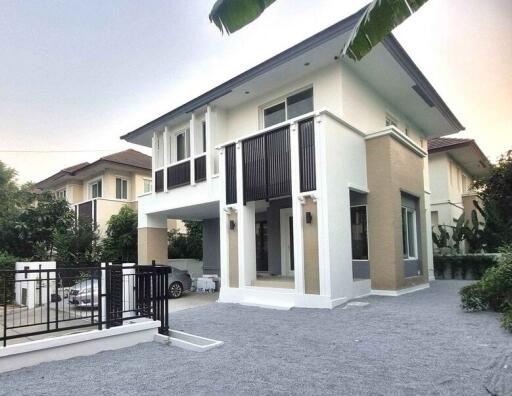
[99, 189]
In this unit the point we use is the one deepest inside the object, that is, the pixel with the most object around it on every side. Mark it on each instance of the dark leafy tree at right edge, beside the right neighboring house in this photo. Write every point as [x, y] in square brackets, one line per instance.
[495, 191]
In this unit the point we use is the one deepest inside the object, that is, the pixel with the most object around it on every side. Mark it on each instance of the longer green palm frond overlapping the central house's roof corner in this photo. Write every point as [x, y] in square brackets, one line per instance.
[378, 20]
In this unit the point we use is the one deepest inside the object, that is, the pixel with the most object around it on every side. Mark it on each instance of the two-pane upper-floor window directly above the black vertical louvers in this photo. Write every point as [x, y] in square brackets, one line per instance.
[292, 106]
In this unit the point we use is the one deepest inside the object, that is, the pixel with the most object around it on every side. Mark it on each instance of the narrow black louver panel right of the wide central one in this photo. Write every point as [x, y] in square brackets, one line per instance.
[307, 155]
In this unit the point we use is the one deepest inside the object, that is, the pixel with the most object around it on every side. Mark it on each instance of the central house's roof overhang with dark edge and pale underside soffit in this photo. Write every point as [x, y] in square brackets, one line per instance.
[388, 68]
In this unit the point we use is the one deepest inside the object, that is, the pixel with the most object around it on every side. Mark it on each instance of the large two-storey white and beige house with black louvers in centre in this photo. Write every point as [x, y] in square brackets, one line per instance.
[309, 172]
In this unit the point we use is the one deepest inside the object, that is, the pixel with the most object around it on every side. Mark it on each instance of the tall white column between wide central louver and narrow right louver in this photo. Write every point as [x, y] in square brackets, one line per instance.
[298, 242]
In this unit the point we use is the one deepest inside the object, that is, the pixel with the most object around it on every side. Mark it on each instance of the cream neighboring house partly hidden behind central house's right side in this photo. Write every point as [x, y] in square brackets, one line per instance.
[453, 166]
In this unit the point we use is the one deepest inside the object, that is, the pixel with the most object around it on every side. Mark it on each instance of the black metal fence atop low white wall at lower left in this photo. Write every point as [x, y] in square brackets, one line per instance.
[35, 302]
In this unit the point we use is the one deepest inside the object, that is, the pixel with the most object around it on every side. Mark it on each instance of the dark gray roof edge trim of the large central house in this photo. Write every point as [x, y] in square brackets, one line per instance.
[345, 25]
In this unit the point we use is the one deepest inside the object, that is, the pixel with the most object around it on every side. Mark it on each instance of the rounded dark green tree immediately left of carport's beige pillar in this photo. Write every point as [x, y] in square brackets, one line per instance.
[120, 243]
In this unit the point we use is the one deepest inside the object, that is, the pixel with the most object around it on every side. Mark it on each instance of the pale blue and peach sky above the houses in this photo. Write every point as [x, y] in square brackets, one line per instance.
[75, 75]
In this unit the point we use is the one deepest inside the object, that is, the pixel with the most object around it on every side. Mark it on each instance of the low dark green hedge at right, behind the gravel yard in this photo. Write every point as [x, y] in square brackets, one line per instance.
[461, 264]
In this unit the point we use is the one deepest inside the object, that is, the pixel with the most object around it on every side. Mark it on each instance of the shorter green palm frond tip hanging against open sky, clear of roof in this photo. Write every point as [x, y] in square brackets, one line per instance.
[232, 15]
